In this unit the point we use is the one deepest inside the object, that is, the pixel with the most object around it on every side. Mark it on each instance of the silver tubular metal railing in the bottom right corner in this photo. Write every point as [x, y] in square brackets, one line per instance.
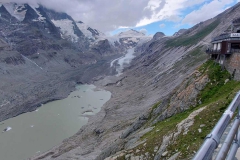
[213, 139]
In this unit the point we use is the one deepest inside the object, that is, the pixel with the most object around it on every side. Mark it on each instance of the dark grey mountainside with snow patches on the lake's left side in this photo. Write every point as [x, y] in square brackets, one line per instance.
[43, 54]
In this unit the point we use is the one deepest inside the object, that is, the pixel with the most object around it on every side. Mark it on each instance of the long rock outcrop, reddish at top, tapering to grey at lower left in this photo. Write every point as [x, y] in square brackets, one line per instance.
[181, 99]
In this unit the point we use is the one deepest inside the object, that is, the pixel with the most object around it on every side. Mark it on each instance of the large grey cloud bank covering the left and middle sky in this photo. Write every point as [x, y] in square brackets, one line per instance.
[105, 15]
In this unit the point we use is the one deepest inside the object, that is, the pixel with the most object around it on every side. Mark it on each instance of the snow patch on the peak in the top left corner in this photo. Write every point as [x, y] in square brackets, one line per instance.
[16, 10]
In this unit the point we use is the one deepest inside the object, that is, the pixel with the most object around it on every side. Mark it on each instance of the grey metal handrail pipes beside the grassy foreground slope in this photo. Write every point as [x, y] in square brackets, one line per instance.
[213, 139]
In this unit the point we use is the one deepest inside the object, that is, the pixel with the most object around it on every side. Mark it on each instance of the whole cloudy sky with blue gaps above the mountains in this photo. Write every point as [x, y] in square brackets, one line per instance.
[112, 16]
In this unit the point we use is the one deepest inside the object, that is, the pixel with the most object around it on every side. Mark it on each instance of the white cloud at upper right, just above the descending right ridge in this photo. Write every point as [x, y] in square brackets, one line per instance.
[207, 11]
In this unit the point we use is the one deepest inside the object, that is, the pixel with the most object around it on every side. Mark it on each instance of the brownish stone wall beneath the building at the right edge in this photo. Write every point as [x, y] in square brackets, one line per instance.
[232, 63]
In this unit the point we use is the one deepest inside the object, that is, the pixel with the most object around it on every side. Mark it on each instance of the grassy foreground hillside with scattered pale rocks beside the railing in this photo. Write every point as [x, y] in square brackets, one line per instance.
[184, 143]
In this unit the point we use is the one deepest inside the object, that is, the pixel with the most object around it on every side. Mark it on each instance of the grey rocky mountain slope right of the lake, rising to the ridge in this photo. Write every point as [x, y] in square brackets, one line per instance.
[161, 82]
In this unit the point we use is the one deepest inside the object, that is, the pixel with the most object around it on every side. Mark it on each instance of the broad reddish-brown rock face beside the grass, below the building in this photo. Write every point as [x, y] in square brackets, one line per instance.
[184, 97]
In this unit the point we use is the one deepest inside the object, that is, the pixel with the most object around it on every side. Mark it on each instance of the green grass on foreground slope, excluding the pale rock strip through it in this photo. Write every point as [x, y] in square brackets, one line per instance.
[216, 96]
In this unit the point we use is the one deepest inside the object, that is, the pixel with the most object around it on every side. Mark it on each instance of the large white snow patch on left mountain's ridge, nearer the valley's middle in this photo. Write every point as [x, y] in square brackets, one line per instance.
[66, 28]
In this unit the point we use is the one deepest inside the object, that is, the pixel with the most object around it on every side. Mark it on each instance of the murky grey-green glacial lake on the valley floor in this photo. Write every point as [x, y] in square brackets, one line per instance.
[75, 111]
